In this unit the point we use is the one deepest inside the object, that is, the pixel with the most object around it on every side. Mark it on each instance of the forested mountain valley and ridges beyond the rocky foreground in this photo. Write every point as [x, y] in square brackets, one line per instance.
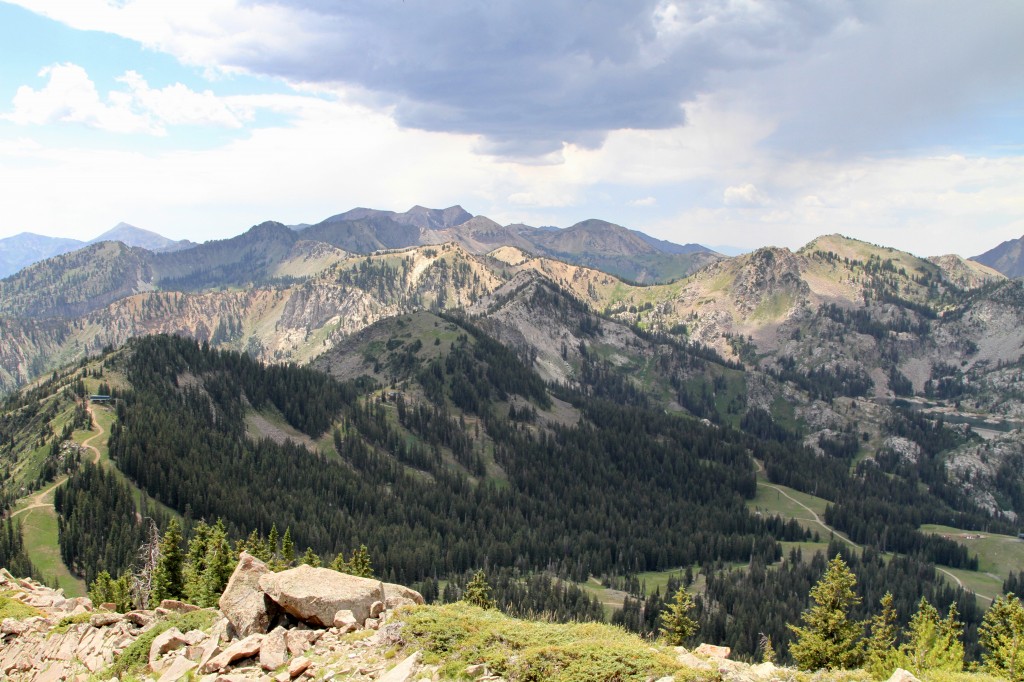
[475, 401]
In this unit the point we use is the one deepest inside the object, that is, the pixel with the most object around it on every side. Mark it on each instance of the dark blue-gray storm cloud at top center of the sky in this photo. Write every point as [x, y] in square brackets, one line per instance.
[531, 75]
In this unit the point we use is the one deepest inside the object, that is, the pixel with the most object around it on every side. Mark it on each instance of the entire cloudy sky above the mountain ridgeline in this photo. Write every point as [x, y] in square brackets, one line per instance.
[741, 123]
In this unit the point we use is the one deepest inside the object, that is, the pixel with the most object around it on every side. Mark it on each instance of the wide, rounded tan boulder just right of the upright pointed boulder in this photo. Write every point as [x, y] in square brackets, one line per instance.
[316, 595]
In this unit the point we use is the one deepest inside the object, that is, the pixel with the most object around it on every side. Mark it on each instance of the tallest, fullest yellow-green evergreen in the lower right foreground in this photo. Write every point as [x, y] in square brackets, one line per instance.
[829, 638]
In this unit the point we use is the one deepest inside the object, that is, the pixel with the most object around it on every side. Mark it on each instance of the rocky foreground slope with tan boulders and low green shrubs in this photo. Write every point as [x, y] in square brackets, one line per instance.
[306, 624]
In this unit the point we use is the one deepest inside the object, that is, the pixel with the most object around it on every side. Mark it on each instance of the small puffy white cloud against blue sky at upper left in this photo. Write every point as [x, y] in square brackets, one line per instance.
[71, 97]
